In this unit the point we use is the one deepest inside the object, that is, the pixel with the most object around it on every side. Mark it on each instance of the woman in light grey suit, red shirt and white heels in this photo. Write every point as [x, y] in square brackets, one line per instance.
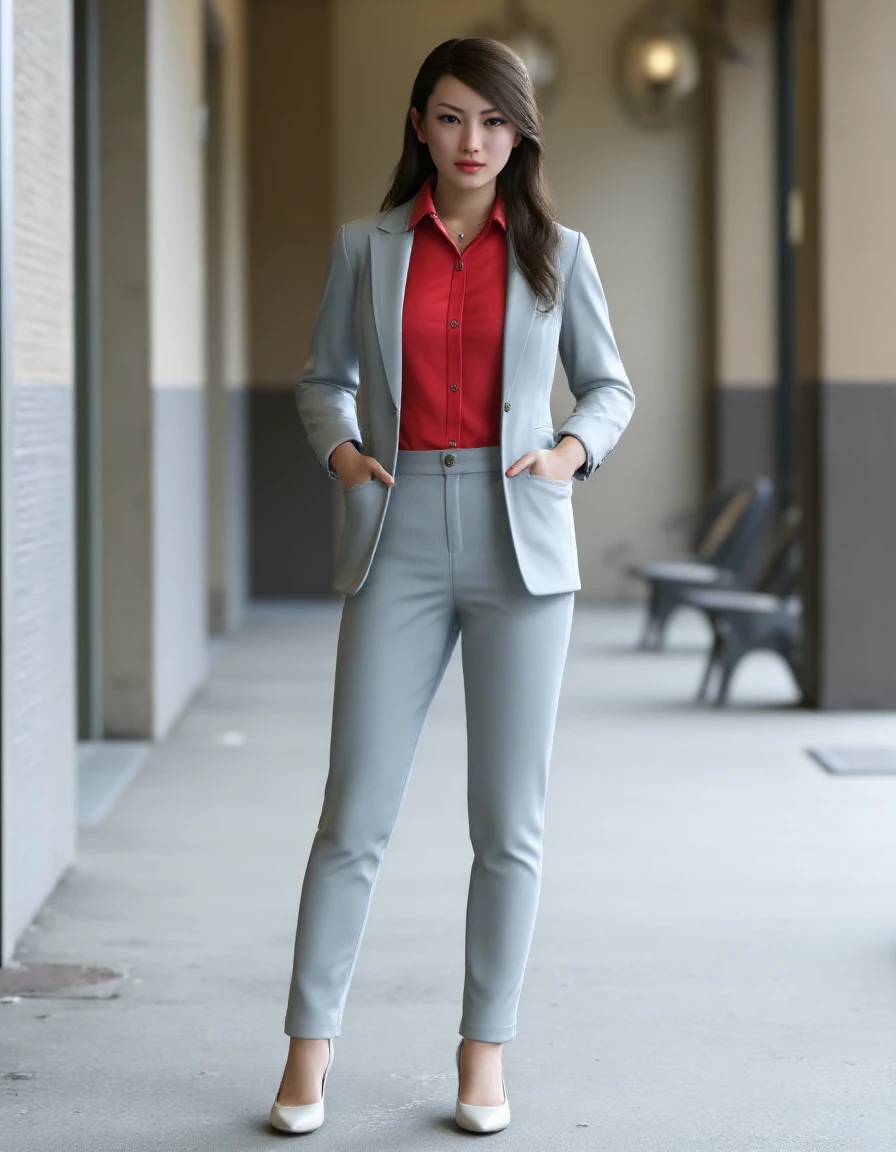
[427, 396]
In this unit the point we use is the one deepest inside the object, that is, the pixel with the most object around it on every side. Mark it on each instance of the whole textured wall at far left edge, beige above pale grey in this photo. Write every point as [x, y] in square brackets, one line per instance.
[40, 804]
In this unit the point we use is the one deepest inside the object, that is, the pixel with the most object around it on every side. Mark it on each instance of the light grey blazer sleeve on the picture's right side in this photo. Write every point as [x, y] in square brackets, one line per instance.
[605, 400]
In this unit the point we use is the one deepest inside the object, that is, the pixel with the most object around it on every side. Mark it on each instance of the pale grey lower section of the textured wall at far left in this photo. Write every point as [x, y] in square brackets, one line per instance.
[41, 806]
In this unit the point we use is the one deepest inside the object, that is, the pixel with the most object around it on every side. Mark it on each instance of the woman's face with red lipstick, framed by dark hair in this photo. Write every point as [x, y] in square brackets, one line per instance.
[461, 125]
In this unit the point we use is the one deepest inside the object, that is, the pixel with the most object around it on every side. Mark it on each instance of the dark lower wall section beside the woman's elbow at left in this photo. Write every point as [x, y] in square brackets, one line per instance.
[292, 503]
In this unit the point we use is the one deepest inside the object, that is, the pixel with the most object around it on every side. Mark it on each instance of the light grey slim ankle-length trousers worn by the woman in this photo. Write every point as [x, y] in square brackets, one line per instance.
[445, 566]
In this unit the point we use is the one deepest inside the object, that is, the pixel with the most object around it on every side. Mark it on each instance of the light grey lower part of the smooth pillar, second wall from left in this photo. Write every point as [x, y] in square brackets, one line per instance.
[181, 649]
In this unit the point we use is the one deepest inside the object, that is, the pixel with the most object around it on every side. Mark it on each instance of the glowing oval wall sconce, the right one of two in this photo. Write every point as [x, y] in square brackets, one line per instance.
[658, 66]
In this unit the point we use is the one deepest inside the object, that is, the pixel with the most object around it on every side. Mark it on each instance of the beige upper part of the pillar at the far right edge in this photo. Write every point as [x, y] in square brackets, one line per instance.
[859, 177]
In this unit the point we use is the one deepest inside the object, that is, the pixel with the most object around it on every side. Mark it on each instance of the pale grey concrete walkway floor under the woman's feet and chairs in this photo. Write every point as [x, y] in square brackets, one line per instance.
[713, 967]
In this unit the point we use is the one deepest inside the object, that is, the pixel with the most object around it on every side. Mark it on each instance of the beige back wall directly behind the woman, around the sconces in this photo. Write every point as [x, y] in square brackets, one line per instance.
[635, 194]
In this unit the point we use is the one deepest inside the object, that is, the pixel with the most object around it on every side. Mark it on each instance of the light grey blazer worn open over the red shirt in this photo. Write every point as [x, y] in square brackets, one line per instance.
[351, 390]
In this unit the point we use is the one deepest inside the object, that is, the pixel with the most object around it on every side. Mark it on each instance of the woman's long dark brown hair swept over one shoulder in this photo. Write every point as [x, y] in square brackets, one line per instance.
[499, 75]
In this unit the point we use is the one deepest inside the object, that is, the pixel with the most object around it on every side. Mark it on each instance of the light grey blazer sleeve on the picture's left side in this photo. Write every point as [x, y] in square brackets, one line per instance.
[329, 383]
